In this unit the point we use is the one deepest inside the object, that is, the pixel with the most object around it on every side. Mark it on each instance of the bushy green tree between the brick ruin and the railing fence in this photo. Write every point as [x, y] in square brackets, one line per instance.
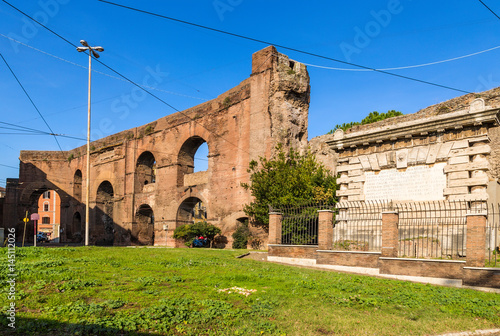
[289, 179]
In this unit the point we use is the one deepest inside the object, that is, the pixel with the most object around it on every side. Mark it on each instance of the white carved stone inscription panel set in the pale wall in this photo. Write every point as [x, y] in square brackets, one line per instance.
[416, 183]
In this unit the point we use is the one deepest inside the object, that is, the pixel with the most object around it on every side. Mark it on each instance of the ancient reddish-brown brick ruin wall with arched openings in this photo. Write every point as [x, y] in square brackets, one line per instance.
[239, 126]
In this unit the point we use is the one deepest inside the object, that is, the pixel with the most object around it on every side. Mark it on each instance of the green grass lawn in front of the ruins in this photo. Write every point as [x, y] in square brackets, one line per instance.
[122, 291]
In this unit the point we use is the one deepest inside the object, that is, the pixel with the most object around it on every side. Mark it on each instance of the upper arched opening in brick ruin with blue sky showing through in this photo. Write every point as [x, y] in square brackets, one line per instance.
[186, 160]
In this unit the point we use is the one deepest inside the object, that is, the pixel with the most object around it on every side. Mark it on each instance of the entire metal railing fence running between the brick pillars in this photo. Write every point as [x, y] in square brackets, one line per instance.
[425, 230]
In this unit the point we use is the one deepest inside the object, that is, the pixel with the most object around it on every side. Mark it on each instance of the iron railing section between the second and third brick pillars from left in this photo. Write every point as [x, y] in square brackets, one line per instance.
[358, 225]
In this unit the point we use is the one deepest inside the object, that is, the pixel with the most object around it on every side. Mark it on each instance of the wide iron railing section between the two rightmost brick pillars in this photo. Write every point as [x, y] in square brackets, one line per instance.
[433, 229]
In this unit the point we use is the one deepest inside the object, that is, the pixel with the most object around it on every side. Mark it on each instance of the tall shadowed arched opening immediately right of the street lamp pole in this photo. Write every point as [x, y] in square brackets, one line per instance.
[104, 228]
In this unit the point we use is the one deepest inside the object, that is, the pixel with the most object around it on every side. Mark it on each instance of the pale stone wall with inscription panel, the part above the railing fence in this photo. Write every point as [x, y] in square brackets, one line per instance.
[435, 154]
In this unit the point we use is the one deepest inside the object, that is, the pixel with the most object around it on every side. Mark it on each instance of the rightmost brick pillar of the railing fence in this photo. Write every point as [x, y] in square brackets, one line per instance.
[476, 239]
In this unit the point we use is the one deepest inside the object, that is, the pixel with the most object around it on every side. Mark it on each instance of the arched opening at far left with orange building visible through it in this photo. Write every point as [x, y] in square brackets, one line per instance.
[48, 208]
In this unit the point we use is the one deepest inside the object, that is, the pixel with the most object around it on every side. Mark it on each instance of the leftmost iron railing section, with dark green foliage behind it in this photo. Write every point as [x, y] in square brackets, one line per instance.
[300, 222]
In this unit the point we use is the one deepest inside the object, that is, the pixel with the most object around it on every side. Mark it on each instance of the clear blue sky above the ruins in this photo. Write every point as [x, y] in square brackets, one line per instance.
[192, 65]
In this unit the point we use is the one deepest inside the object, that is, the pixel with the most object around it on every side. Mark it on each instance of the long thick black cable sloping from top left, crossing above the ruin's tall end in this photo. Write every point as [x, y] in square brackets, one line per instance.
[282, 46]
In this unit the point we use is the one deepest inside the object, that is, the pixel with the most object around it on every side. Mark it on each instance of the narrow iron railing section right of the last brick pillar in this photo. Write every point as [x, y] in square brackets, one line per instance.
[493, 236]
